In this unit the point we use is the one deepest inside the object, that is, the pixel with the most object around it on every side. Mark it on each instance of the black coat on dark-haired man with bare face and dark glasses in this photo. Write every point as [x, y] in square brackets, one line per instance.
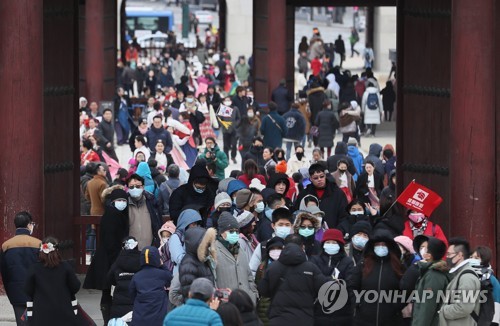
[333, 202]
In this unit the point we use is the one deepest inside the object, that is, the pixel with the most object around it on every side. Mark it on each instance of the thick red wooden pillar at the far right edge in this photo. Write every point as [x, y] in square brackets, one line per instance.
[472, 139]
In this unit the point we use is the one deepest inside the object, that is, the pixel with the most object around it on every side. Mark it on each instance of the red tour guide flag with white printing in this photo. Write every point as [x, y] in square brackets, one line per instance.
[419, 198]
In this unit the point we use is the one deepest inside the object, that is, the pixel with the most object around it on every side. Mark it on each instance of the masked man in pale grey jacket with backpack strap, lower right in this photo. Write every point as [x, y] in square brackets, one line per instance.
[456, 311]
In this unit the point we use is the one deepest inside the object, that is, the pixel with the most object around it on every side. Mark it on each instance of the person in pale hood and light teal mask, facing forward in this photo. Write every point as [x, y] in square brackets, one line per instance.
[306, 226]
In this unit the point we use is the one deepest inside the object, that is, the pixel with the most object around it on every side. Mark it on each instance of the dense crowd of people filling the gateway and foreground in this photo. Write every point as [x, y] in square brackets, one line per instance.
[182, 243]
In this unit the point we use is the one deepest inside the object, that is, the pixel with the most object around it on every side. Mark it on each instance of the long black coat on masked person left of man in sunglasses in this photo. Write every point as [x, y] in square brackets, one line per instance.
[113, 229]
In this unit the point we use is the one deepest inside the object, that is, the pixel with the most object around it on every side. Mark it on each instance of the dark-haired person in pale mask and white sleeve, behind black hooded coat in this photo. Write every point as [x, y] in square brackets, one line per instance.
[282, 220]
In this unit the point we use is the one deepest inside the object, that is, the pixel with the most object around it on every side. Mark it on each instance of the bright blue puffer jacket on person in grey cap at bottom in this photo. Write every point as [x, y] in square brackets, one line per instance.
[194, 312]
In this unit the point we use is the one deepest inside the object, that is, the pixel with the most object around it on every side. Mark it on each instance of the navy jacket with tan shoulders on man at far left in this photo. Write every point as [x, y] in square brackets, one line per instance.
[18, 254]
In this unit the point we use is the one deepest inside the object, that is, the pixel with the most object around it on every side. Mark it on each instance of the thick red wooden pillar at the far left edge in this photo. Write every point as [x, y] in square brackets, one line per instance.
[21, 135]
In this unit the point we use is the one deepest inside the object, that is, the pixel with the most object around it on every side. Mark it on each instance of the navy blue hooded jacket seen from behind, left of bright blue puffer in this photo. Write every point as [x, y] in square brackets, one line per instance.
[148, 290]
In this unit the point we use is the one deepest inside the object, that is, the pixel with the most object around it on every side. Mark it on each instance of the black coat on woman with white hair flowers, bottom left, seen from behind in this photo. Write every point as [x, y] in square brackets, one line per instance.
[52, 290]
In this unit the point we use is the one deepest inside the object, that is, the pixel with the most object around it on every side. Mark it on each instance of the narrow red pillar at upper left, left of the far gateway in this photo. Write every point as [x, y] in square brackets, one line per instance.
[94, 54]
